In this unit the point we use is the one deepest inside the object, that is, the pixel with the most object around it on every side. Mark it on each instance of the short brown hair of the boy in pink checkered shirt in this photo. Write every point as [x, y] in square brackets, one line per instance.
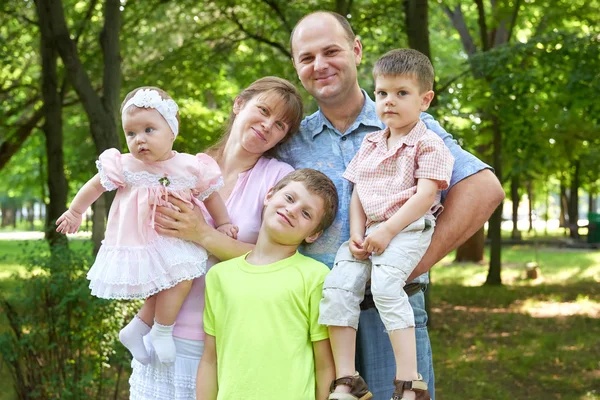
[406, 62]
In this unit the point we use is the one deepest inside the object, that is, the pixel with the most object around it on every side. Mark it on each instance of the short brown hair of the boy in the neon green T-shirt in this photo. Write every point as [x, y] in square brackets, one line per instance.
[317, 183]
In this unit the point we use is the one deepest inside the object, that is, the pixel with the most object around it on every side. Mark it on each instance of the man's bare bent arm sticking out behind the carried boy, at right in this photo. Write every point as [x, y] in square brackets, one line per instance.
[468, 205]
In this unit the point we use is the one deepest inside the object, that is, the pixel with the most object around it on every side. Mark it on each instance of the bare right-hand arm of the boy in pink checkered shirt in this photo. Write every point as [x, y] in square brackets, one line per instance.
[413, 209]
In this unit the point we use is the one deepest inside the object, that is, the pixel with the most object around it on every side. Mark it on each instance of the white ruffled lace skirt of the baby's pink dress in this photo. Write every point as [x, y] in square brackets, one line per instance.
[138, 272]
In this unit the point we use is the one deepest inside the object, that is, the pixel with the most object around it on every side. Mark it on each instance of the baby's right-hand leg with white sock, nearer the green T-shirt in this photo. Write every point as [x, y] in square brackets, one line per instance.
[168, 303]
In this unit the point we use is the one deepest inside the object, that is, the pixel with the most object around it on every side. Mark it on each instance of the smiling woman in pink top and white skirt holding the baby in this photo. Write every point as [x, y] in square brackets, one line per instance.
[263, 116]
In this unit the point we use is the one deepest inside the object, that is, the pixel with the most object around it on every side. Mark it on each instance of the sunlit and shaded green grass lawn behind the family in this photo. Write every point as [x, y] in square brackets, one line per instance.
[528, 339]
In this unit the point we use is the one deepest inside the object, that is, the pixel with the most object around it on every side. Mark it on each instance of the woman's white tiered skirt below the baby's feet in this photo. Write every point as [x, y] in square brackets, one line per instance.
[156, 381]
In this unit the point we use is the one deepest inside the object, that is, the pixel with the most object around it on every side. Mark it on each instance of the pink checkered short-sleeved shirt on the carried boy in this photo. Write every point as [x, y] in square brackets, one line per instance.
[386, 179]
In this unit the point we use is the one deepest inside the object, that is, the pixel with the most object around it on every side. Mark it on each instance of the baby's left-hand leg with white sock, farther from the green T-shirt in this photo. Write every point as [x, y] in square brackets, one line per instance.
[132, 335]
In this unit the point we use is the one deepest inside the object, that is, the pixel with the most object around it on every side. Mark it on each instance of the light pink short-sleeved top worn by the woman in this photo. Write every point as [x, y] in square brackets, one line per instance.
[245, 206]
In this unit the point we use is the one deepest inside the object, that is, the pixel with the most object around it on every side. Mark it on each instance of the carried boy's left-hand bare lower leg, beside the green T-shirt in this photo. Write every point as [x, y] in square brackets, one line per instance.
[343, 347]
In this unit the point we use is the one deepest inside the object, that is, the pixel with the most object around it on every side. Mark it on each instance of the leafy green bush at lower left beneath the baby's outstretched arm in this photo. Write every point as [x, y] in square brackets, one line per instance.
[62, 342]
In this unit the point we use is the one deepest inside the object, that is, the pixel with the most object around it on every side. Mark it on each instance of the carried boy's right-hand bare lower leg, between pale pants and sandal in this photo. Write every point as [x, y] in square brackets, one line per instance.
[405, 353]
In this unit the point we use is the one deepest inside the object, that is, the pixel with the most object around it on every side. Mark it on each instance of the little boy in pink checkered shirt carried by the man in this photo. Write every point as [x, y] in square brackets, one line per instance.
[398, 175]
